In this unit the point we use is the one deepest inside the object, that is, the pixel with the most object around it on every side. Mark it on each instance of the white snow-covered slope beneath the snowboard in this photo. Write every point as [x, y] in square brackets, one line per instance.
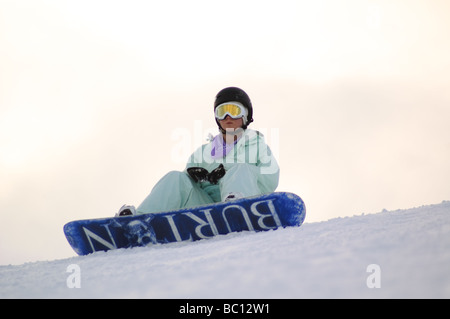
[318, 260]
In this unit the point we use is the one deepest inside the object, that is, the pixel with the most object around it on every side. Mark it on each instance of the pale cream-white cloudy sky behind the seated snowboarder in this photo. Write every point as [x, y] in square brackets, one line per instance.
[99, 99]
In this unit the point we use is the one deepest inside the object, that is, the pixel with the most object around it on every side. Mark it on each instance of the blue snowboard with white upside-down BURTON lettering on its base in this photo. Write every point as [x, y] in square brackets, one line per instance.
[257, 213]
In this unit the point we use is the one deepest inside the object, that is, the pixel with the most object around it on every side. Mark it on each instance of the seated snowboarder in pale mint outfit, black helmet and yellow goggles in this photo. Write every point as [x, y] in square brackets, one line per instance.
[236, 163]
